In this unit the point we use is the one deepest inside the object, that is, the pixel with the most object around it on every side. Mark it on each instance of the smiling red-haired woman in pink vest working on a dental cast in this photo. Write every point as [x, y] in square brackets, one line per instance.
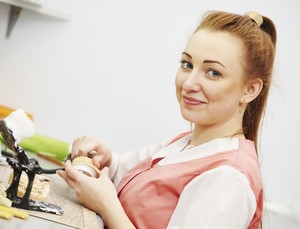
[206, 178]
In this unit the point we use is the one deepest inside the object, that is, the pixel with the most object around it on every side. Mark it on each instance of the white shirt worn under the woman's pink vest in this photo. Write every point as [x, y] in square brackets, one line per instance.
[218, 198]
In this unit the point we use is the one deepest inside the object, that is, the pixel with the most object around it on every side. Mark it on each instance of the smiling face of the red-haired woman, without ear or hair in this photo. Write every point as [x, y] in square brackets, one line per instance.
[209, 82]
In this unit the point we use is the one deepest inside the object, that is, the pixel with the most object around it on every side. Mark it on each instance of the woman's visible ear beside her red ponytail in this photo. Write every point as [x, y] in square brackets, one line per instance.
[252, 90]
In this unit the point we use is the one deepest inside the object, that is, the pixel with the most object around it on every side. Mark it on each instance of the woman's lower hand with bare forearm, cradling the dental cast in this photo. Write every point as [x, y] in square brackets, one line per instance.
[97, 194]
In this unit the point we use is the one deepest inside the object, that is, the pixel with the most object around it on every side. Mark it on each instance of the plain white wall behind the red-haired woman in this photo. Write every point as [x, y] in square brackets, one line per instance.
[110, 72]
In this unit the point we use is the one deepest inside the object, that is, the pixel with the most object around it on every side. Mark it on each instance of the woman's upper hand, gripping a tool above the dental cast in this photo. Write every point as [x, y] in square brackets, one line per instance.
[83, 145]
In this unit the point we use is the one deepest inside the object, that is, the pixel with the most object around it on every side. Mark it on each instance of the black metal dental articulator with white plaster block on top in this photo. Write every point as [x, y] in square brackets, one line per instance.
[14, 128]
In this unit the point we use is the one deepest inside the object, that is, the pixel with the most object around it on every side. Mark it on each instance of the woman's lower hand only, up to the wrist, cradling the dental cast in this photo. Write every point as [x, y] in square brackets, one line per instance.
[96, 194]
